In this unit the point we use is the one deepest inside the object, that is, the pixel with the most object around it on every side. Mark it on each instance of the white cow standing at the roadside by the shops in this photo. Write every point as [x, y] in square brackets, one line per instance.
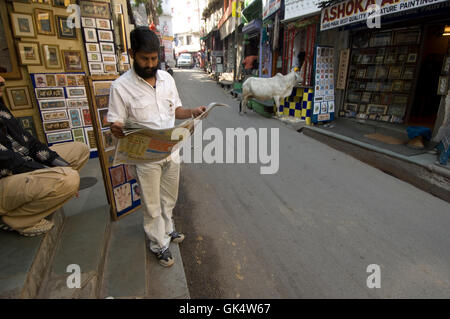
[277, 87]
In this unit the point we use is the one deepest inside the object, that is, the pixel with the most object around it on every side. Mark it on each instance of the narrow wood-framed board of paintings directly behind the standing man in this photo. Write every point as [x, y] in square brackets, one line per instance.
[120, 181]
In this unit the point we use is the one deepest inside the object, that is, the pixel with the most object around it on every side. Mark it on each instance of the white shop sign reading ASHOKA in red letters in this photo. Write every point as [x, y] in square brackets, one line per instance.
[353, 11]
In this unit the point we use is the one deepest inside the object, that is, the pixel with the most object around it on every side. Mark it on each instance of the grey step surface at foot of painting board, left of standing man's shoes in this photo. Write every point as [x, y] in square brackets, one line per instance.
[125, 269]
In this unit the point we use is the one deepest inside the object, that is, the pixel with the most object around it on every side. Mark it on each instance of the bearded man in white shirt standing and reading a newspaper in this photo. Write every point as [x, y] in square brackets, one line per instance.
[148, 96]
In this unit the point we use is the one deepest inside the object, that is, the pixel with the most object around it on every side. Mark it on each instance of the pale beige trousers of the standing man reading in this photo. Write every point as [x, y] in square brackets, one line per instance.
[159, 193]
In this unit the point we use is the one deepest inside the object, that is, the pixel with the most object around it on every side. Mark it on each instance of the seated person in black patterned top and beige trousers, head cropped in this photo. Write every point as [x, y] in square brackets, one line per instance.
[35, 180]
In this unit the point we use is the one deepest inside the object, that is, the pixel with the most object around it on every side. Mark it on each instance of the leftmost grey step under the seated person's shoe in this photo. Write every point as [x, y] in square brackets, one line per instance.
[25, 260]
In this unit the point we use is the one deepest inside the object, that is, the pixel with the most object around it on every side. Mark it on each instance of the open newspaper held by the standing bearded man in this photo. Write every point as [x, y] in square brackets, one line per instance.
[145, 145]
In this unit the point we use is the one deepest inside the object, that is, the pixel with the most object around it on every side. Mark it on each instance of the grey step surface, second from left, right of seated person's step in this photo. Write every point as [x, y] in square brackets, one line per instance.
[83, 242]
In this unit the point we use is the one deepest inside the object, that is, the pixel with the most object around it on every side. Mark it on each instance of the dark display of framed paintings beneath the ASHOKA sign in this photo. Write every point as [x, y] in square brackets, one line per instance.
[381, 74]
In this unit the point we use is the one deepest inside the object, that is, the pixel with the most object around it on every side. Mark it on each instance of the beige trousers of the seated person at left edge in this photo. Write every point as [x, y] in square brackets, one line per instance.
[27, 198]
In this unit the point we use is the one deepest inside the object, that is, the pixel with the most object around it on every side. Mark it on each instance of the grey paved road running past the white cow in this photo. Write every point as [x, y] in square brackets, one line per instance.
[309, 231]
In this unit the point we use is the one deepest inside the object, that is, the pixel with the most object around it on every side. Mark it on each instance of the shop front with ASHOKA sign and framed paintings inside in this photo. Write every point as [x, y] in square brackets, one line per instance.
[396, 73]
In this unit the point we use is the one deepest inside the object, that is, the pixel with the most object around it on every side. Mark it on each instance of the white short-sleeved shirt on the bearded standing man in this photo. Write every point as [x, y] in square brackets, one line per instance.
[131, 97]
